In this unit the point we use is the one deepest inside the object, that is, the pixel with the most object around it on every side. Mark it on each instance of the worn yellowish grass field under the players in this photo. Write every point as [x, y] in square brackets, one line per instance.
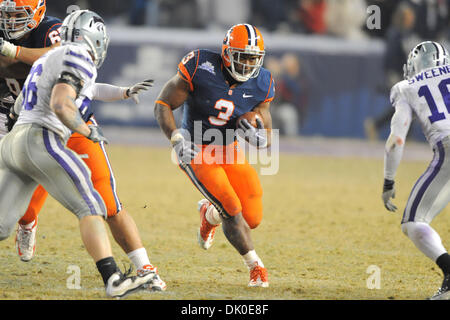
[324, 225]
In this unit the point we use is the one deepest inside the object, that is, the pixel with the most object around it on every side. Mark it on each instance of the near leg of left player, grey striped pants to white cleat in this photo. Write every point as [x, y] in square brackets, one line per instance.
[67, 178]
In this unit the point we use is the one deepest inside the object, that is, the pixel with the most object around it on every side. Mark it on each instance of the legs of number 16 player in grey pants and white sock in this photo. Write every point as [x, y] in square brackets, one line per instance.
[428, 198]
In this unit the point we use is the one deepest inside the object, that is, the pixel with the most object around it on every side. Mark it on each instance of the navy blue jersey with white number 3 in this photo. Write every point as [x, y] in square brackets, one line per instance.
[212, 103]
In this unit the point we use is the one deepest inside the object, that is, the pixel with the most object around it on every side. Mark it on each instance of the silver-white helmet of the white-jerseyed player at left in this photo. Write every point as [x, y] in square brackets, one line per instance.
[87, 28]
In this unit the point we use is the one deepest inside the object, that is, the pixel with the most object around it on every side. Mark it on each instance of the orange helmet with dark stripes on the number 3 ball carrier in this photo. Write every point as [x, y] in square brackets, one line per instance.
[243, 52]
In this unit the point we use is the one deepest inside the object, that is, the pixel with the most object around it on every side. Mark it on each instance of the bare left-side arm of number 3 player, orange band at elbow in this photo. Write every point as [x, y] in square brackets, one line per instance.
[172, 96]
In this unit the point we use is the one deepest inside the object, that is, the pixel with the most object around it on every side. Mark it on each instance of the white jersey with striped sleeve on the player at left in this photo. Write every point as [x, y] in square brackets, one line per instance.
[37, 90]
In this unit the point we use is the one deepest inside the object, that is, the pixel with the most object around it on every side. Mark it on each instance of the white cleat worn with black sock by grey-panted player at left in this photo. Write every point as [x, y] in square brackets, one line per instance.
[120, 285]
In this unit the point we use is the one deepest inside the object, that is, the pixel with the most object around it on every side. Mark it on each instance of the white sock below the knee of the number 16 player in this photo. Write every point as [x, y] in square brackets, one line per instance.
[425, 238]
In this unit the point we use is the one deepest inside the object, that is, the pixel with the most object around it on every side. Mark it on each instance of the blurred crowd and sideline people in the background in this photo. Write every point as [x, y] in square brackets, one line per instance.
[403, 23]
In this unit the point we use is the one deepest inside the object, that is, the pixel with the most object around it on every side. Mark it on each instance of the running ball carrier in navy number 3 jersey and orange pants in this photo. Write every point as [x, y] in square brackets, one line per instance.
[216, 90]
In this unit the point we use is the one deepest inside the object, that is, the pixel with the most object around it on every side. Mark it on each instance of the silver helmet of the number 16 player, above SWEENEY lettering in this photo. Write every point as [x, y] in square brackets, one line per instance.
[425, 55]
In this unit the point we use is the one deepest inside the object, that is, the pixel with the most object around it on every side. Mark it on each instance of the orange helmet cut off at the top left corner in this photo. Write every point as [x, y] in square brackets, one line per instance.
[20, 16]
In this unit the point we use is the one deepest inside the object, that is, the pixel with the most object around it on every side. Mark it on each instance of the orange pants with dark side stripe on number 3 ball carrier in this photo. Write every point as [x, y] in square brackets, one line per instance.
[234, 186]
